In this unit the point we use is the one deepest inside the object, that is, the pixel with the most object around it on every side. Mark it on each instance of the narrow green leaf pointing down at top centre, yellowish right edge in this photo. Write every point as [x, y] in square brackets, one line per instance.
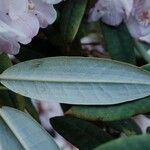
[72, 15]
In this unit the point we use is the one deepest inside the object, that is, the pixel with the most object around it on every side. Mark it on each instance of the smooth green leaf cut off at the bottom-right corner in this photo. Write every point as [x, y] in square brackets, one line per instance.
[132, 143]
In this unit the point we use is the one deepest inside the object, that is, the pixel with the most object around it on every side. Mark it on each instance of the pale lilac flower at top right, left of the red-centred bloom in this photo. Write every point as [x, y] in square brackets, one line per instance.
[111, 12]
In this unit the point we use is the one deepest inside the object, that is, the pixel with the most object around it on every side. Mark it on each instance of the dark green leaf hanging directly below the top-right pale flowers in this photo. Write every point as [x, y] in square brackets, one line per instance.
[119, 43]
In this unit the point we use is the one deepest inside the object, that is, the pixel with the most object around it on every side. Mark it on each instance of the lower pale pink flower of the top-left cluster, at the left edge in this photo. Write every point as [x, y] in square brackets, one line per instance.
[21, 30]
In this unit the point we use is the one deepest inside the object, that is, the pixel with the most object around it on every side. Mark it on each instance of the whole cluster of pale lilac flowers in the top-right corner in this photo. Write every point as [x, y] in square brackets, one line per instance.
[135, 13]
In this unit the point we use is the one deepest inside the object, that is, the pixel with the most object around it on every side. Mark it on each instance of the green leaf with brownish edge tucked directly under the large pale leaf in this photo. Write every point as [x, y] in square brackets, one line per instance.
[111, 113]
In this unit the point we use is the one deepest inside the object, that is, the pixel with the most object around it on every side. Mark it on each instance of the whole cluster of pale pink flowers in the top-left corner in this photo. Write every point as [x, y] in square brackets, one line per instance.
[20, 21]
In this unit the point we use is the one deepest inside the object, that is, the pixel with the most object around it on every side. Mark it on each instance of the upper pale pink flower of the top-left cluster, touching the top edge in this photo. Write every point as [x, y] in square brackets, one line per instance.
[42, 9]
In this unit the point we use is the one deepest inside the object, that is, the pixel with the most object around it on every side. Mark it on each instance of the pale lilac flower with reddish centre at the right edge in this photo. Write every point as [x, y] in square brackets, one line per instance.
[139, 20]
